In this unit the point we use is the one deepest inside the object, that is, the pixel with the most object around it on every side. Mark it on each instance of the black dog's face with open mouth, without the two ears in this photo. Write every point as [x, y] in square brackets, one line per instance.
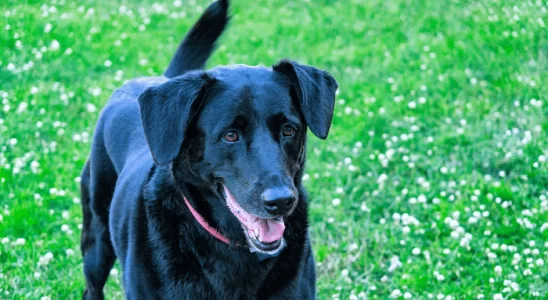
[253, 146]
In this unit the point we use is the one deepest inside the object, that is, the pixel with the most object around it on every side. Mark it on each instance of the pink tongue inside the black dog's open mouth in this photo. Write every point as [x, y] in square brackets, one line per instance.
[269, 230]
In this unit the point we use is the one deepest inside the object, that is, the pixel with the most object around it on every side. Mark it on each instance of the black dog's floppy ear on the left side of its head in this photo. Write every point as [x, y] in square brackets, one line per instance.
[167, 110]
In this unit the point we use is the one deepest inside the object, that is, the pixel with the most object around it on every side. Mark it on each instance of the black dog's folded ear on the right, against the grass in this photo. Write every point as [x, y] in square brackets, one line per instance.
[315, 90]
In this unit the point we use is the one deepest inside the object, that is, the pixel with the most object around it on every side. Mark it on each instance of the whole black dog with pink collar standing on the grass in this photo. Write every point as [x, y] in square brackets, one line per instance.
[194, 179]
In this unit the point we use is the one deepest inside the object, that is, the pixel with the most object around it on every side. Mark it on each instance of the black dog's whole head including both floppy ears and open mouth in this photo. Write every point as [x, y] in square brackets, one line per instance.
[242, 130]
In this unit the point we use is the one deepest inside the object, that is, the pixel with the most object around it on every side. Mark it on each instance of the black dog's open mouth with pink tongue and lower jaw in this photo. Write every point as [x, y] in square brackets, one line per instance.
[263, 235]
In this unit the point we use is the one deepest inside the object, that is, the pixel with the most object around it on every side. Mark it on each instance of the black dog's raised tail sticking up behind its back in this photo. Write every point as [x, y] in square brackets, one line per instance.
[199, 43]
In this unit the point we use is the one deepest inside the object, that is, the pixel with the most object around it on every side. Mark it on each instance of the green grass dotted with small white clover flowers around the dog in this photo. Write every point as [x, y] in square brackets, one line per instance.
[437, 151]
